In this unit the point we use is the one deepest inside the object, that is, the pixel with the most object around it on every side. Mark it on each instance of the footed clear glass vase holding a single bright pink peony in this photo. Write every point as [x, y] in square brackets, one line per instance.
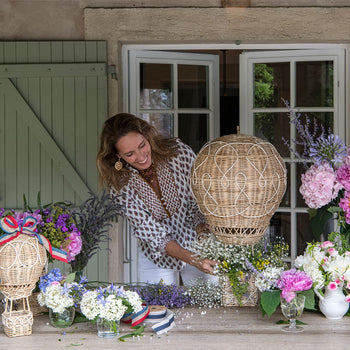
[291, 311]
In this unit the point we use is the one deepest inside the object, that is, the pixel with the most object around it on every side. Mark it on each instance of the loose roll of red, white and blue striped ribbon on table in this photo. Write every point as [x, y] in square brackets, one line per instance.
[162, 318]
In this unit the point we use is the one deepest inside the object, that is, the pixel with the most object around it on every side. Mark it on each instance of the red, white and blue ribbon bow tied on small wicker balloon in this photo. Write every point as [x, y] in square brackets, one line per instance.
[9, 225]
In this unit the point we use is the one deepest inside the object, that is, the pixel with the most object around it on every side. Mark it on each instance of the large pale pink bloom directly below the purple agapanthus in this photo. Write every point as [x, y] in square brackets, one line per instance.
[319, 185]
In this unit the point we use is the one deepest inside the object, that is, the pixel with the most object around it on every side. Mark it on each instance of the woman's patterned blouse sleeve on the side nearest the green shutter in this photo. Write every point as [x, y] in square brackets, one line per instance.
[155, 234]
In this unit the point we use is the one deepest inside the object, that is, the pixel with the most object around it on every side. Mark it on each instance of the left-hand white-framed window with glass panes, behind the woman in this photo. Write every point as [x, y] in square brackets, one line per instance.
[179, 94]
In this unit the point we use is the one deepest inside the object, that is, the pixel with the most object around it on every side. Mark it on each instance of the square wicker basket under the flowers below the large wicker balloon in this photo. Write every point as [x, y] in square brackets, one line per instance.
[250, 298]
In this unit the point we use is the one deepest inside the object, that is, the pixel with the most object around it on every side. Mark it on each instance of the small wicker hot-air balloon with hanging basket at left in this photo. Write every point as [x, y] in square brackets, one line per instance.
[22, 261]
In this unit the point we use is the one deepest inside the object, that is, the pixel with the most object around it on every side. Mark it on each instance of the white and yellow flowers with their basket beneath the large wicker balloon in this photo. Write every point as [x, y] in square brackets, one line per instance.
[239, 265]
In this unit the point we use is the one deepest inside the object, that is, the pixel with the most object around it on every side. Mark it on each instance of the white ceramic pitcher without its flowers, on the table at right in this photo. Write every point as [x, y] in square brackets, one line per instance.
[333, 304]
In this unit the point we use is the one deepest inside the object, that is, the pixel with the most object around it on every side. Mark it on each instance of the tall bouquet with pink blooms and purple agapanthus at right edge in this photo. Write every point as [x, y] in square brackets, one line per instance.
[326, 183]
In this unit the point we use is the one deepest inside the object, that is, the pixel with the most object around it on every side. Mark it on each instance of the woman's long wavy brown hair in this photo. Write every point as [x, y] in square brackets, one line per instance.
[163, 148]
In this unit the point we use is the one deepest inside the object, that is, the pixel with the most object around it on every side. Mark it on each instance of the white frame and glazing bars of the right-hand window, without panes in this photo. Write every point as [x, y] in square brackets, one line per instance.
[247, 110]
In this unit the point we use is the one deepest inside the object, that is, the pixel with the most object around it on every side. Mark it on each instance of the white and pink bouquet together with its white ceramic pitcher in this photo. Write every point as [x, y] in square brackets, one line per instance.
[328, 265]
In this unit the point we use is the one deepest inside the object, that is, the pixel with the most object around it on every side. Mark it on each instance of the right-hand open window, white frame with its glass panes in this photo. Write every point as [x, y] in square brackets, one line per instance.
[312, 81]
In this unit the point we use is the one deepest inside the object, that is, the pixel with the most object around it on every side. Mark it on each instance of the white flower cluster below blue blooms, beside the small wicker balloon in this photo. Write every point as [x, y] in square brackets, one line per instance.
[55, 298]
